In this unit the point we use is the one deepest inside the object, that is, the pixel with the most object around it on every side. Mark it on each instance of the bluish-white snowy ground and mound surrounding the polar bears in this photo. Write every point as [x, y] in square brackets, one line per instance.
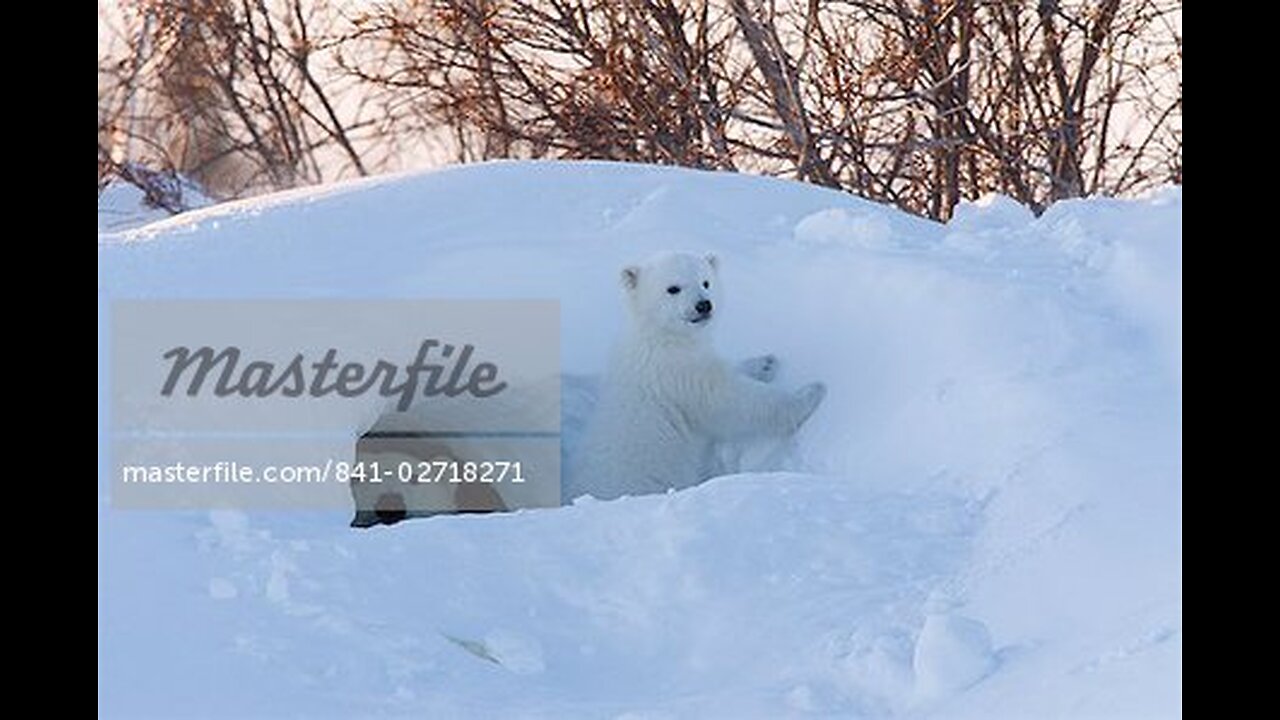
[985, 522]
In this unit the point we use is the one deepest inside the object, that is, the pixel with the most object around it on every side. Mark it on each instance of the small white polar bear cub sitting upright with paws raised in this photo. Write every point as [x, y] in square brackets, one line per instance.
[669, 400]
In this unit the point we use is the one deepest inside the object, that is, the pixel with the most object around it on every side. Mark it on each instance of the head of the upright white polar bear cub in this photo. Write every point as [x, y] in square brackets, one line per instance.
[673, 293]
